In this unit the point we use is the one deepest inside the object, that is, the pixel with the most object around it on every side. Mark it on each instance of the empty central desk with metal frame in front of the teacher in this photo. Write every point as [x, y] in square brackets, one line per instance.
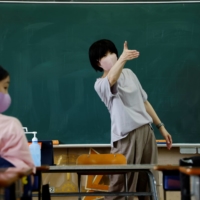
[108, 169]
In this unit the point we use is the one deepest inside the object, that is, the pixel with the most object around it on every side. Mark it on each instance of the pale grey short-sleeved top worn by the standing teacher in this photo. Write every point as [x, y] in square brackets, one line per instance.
[125, 102]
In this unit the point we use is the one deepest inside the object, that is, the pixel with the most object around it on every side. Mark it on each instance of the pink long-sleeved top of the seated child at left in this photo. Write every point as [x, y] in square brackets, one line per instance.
[13, 143]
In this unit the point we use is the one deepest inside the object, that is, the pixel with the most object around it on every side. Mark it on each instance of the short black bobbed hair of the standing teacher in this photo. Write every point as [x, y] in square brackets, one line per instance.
[98, 50]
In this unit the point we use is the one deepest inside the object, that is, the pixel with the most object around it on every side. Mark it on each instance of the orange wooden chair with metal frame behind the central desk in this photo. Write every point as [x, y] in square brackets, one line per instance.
[93, 159]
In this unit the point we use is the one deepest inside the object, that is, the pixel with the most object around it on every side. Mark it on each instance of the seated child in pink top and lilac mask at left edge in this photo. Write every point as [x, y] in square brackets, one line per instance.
[14, 150]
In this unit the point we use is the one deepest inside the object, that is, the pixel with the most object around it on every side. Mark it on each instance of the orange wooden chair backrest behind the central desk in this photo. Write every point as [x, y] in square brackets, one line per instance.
[93, 159]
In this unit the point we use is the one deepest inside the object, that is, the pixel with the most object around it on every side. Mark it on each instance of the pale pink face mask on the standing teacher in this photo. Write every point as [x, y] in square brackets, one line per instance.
[107, 62]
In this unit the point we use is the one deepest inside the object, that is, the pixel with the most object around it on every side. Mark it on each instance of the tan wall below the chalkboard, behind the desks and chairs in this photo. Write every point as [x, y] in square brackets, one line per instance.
[69, 155]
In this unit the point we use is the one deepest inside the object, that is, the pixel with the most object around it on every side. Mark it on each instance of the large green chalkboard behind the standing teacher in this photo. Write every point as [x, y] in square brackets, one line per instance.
[45, 49]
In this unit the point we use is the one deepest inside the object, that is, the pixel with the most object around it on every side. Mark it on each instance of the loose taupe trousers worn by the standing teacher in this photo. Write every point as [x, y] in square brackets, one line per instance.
[139, 147]
